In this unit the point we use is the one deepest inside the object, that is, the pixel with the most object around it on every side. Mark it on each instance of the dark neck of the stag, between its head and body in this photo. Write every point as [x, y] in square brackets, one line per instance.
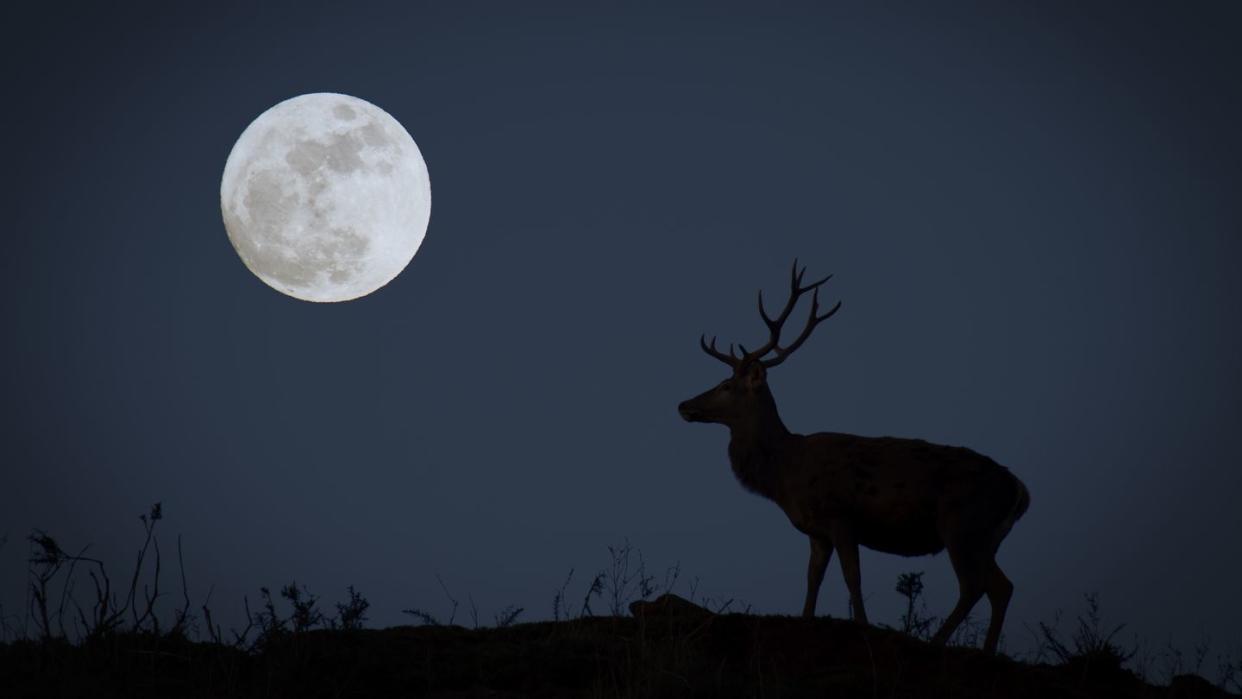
[759, 449]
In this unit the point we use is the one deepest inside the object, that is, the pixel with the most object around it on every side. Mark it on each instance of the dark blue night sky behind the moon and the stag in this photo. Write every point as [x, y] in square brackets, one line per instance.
[1033, 214]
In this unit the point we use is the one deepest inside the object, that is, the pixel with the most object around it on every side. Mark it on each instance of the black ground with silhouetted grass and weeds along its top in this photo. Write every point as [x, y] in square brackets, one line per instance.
[638, 640]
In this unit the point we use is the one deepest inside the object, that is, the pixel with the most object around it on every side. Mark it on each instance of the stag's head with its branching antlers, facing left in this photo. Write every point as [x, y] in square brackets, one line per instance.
[745, 394]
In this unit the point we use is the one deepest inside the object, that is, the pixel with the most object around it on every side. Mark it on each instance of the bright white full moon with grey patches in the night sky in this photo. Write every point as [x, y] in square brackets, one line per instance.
[326, 198]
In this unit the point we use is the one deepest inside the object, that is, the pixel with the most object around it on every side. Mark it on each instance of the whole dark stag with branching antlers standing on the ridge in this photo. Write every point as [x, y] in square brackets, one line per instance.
[905, 497]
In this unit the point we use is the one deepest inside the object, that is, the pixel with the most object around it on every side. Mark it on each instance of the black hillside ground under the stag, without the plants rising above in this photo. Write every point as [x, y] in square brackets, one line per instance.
[687, 656]
